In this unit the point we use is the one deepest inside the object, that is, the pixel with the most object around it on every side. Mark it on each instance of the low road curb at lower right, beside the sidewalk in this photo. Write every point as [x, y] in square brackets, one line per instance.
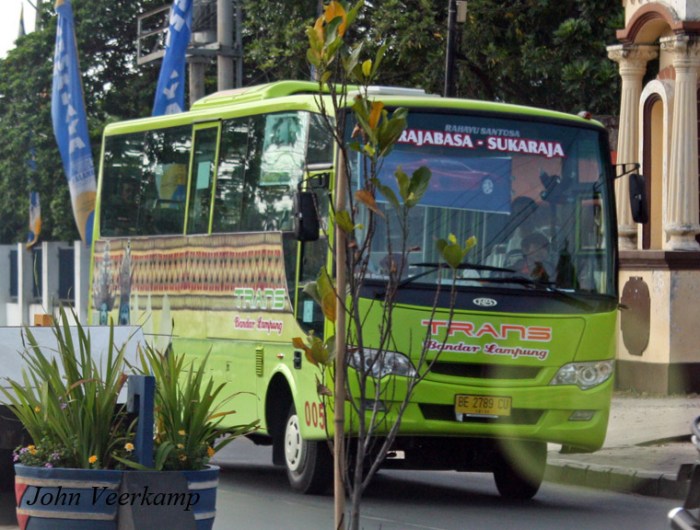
[652, 484]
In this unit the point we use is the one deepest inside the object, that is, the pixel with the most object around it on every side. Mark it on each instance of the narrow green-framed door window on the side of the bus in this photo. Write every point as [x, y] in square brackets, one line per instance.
[202, 181]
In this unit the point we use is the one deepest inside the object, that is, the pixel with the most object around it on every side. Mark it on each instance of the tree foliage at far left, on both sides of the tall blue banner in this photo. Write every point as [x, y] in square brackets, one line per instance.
[114, 89]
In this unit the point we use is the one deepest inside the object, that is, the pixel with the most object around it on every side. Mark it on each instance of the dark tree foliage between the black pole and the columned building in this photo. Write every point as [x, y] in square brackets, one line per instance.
[541, 52]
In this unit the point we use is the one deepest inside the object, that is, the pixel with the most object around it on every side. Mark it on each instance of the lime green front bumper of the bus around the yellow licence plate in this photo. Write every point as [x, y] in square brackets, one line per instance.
[564, 415]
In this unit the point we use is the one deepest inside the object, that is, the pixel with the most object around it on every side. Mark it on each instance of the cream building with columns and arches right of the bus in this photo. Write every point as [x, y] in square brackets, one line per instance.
[658, 54]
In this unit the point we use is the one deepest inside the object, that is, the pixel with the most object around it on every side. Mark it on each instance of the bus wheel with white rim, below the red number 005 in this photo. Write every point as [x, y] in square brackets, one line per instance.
[309, 463]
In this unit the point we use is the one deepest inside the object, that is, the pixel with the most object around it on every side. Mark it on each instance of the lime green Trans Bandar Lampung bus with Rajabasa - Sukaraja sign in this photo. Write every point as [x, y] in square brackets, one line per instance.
[195, 241]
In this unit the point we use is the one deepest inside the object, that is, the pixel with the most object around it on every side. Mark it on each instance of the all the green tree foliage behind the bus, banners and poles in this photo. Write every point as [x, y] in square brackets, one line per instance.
[548, 53]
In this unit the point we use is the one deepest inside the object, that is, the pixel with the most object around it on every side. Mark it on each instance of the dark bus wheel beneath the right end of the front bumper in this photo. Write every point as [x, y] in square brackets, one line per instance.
[519, 469]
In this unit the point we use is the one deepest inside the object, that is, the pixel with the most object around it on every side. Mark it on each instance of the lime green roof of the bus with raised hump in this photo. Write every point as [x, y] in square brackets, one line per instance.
[289, 95]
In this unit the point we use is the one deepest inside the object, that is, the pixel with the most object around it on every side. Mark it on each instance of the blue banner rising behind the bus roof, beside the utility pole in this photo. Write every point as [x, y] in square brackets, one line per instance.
[170, 92]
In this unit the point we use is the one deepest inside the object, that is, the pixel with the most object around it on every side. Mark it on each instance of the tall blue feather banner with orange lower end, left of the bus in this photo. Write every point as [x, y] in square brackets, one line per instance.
[70, 122]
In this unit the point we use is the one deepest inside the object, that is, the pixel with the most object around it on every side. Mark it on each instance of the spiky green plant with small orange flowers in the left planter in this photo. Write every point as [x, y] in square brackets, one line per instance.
[67, 401]
